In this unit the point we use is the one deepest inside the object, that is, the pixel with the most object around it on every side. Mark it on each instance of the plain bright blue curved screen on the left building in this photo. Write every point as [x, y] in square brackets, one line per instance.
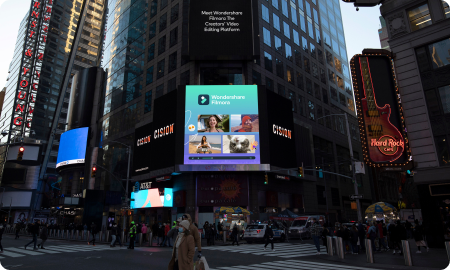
[72, 147]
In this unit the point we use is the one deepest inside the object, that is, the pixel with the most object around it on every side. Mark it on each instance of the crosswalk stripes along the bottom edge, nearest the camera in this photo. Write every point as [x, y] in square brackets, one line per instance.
[293, 265]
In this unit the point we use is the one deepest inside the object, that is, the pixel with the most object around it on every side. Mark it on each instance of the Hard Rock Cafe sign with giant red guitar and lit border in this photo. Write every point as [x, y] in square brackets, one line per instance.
[380, 114]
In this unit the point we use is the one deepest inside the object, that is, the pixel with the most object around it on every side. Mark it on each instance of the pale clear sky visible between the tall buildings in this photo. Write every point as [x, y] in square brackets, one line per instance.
[360, 27]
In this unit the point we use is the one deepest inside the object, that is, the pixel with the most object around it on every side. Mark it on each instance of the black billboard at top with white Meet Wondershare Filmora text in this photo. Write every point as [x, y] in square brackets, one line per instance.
[221, 30]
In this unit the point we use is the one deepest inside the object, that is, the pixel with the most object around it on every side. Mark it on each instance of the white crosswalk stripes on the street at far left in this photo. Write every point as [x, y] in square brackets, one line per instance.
[15, 252]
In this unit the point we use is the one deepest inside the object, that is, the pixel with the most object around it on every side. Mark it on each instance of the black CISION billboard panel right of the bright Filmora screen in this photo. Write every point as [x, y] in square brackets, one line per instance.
[276, 130]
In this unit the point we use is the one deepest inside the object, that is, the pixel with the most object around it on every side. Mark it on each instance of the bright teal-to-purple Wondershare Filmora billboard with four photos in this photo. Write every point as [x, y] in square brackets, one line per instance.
[222, 124]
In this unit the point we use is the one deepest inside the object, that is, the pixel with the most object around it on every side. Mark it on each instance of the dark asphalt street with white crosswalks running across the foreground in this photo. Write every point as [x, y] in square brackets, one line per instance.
[294, 255]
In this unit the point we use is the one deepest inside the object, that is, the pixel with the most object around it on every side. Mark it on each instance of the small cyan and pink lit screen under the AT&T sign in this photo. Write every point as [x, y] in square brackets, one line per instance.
[146, 198]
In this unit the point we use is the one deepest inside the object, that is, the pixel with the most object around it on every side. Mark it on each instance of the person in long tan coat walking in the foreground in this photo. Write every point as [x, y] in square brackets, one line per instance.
[183, 248]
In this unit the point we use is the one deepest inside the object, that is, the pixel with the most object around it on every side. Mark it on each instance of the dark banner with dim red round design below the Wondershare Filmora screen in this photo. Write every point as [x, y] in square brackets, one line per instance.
[222, 190]
